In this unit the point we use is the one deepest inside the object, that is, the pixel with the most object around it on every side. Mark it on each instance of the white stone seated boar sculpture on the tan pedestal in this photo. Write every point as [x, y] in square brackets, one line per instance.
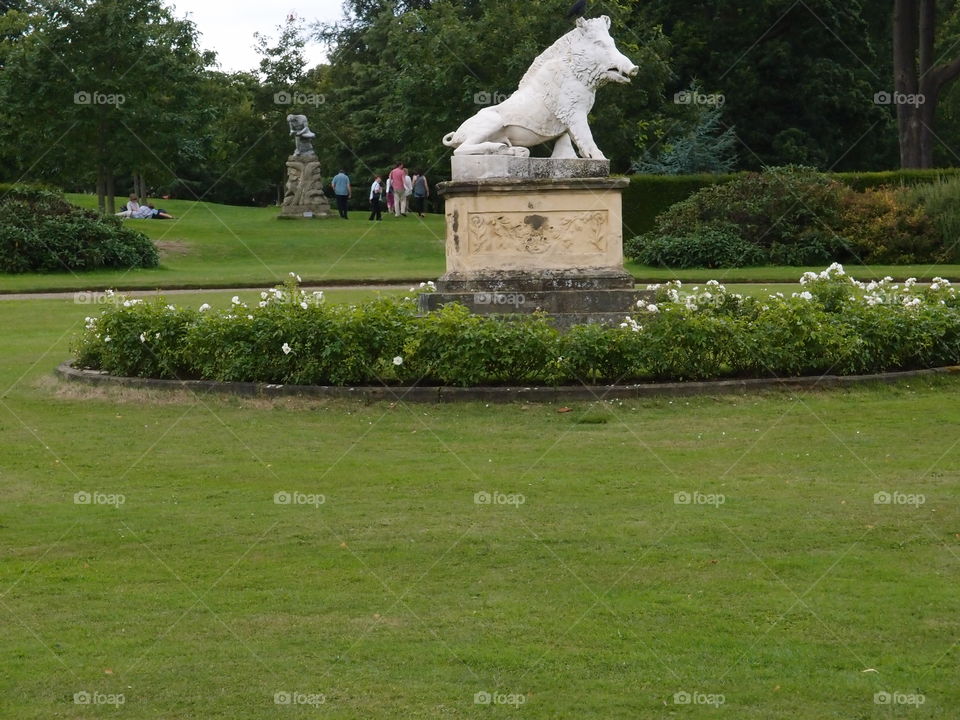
[553, 99]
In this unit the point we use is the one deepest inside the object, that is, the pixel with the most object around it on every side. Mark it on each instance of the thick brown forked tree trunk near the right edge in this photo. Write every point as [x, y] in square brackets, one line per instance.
[918, 79]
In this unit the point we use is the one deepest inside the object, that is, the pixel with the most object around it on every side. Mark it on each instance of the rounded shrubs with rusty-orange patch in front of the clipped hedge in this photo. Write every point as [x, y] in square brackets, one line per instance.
[799, 216]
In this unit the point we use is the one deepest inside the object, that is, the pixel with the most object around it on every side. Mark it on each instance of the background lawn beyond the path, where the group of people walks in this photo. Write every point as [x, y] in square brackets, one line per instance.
[212, 245]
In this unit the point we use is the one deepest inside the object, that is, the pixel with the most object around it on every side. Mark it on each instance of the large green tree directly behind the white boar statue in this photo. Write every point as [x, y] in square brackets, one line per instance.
[402, 75]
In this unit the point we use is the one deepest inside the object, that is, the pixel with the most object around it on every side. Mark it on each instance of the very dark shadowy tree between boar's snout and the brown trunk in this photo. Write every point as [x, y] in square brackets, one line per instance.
[799, 79]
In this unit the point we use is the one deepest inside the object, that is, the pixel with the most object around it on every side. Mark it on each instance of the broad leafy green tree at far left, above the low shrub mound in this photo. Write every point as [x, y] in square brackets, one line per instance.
[100, 87]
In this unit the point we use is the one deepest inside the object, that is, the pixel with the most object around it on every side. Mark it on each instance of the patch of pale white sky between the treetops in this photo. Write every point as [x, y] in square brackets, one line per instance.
[227, 26]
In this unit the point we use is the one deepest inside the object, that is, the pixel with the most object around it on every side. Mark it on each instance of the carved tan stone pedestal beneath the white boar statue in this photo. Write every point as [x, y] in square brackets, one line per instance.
[546, 237]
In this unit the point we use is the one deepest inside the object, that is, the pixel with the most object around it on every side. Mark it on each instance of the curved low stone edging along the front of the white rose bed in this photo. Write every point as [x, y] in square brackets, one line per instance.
[444, 394]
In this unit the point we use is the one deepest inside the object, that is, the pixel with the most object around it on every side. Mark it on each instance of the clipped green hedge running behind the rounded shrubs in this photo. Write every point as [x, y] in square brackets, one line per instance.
[649, 195]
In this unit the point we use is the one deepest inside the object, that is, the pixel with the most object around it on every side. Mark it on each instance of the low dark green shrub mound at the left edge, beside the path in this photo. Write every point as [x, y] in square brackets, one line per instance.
[40, 230]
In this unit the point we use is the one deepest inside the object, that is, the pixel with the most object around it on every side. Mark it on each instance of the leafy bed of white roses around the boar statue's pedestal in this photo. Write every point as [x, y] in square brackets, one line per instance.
[835, 325]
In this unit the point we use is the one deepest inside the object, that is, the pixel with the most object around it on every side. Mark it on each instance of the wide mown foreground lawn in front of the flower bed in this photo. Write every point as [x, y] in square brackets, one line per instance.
[400, 597]
